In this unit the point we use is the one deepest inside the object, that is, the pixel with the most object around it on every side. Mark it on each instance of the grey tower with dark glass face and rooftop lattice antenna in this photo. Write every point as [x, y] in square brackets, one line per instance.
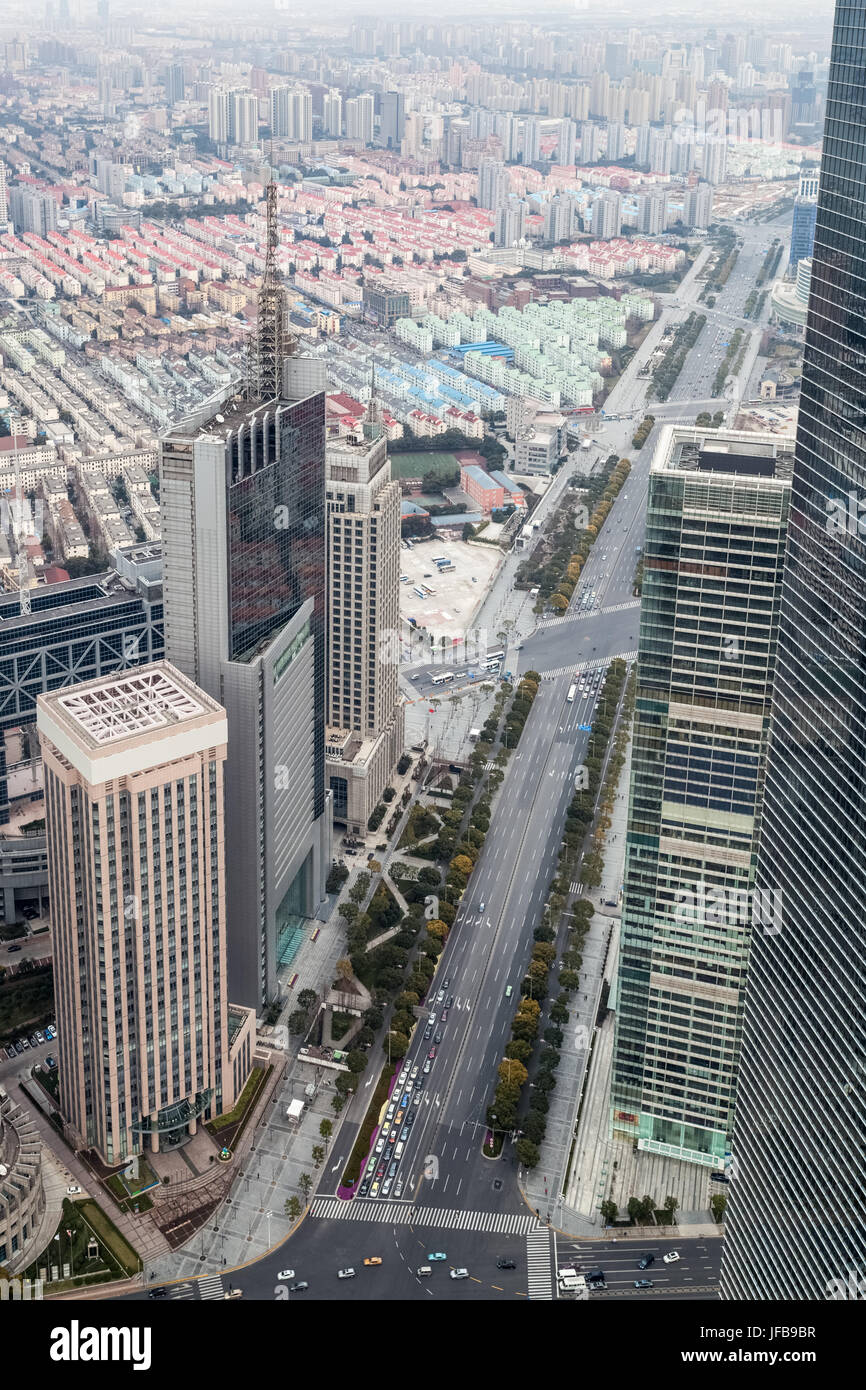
[244, 540]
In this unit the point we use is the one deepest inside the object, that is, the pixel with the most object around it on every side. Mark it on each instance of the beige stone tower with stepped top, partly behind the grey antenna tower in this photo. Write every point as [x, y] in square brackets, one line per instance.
[365, 735]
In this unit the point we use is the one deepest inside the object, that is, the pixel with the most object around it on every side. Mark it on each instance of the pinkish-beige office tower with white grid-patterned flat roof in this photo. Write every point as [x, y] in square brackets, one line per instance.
[134, 801]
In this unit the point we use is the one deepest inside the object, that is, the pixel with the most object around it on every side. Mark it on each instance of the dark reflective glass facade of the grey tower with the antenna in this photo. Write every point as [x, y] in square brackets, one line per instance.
[277, 540]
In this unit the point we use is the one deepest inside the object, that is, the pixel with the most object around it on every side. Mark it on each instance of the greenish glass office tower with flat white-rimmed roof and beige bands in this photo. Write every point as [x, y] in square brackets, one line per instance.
[717, 525]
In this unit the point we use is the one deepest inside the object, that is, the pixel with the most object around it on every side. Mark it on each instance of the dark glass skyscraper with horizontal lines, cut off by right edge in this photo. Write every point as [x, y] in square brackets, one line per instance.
[797, 1217]
